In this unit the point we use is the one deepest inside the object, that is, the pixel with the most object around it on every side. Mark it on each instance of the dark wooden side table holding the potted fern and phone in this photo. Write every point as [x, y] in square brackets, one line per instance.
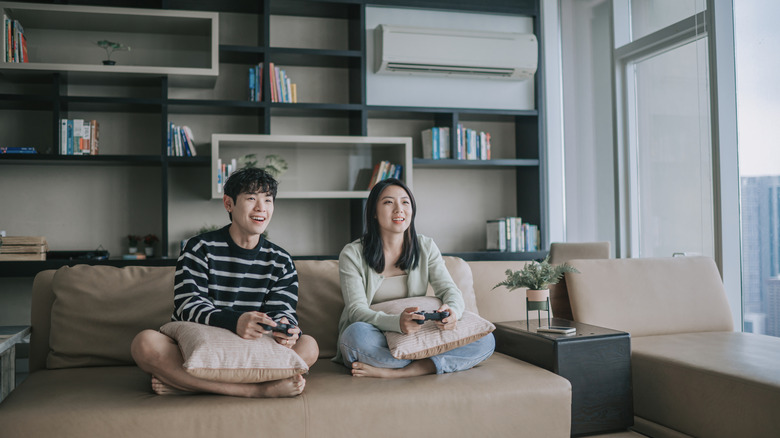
[596, 360]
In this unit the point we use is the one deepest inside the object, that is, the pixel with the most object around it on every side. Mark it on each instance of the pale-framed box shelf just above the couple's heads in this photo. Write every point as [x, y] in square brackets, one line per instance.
[319, 167]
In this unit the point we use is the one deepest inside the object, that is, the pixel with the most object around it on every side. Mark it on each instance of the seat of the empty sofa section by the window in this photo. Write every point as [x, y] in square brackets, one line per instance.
[713, 384]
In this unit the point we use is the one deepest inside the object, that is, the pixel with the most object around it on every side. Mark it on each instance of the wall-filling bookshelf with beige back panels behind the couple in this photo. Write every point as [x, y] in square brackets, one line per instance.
[322, 44]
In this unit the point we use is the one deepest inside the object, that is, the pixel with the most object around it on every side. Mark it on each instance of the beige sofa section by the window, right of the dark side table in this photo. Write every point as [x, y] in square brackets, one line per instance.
[692, 374]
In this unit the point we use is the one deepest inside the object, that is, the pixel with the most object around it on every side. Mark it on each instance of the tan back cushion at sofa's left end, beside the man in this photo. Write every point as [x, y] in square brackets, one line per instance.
[96, 313]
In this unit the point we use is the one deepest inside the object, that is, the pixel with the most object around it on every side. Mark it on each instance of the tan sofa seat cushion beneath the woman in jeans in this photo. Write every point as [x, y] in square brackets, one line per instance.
[500, 397]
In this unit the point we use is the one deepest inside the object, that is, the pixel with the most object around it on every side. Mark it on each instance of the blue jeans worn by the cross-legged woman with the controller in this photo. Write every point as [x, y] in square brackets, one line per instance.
[362, 342]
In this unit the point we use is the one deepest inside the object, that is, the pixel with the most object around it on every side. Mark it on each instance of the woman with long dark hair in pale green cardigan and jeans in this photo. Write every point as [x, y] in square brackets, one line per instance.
[391, 261]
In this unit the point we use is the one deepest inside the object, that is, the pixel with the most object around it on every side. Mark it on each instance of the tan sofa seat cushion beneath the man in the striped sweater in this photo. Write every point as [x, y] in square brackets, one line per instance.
[118, 402]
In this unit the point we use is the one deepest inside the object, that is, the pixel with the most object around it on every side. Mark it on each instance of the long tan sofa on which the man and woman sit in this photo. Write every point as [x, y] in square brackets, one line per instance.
[83, 382]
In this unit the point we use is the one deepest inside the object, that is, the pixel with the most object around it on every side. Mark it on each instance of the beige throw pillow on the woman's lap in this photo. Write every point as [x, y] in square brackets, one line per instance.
[430, 340]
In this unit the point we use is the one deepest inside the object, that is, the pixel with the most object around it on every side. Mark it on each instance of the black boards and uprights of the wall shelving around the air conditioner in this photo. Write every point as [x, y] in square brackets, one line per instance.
[51, 94]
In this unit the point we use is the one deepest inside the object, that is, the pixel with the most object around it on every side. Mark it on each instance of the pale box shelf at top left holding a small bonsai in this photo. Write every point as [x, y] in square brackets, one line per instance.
[180, 44]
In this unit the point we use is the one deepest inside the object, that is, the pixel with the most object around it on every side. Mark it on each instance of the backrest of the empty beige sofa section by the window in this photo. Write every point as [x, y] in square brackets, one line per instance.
[650, 296]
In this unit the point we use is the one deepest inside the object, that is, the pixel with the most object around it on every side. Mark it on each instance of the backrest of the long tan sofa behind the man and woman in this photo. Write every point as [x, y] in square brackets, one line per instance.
[88, 315]
